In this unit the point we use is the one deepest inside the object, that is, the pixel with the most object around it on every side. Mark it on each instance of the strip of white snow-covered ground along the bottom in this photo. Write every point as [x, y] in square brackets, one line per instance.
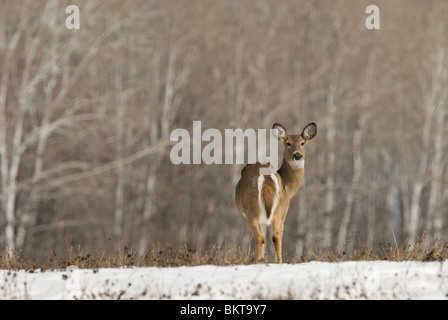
[314, 280]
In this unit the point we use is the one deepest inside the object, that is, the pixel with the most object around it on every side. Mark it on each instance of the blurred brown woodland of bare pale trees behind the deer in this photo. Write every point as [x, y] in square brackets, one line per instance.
[85, 119]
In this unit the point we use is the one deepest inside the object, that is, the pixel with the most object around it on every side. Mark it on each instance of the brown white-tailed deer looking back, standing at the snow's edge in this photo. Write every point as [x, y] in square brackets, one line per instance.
[263, 199]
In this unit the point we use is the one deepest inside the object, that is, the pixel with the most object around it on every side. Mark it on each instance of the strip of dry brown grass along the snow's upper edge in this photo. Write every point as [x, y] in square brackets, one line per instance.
[184, 255]
